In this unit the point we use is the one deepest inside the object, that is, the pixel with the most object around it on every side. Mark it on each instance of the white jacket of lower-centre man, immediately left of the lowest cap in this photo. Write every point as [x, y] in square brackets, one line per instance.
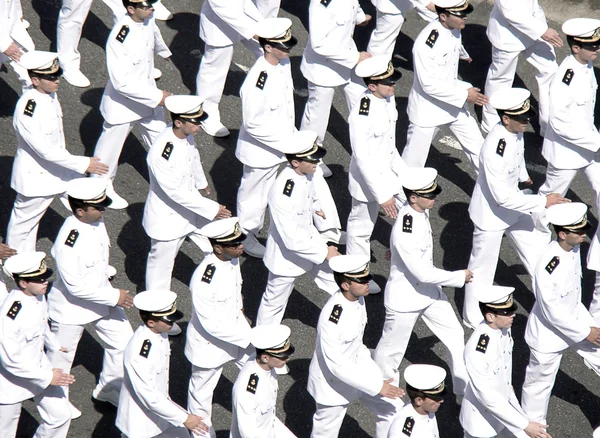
[341, 368]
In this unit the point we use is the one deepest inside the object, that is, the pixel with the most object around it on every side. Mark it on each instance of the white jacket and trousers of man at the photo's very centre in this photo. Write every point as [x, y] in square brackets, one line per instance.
[294, 245]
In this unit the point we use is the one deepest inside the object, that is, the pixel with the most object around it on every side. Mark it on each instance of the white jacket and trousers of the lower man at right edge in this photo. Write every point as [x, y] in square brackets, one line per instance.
[558, 321]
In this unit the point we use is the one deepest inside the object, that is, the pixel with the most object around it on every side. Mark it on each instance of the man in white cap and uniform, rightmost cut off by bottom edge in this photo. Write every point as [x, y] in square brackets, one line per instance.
[490, 406]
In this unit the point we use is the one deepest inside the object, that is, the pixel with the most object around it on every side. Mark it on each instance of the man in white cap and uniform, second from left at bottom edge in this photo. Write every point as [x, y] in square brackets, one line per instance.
[145, 407]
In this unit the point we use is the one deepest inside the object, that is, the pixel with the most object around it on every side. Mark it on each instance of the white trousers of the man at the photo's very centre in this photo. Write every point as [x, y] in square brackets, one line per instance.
[279, 288]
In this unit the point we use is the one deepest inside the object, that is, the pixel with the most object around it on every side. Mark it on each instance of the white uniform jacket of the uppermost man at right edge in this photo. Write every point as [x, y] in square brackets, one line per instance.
[572, 139]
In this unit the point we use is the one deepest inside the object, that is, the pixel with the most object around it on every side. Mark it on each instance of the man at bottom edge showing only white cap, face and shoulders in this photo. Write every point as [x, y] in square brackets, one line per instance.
[425, 386]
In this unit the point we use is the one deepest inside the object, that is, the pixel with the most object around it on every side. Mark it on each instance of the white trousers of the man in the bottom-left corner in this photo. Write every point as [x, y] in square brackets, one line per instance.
[53, 408]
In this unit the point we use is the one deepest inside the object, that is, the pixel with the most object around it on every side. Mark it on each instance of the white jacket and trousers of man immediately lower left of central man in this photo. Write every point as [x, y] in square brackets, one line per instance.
[218, 331]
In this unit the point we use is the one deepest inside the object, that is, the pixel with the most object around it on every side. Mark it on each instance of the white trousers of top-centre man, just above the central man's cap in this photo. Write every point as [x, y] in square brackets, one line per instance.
[318, 105]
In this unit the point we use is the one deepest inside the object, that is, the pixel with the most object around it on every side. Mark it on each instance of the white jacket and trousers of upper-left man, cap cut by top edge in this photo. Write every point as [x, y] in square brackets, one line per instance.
[131, 96]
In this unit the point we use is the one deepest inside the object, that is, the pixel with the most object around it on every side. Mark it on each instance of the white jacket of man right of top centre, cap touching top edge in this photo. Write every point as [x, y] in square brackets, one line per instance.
[437, 95]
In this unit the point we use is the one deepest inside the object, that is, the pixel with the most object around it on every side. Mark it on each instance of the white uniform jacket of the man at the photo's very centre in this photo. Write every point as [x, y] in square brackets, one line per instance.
[294, 245]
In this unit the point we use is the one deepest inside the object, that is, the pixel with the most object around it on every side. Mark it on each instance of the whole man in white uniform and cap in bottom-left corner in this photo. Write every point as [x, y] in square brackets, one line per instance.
[25, 370]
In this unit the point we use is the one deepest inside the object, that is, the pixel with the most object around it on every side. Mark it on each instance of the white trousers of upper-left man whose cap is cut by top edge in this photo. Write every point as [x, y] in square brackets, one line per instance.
[111, 141]
